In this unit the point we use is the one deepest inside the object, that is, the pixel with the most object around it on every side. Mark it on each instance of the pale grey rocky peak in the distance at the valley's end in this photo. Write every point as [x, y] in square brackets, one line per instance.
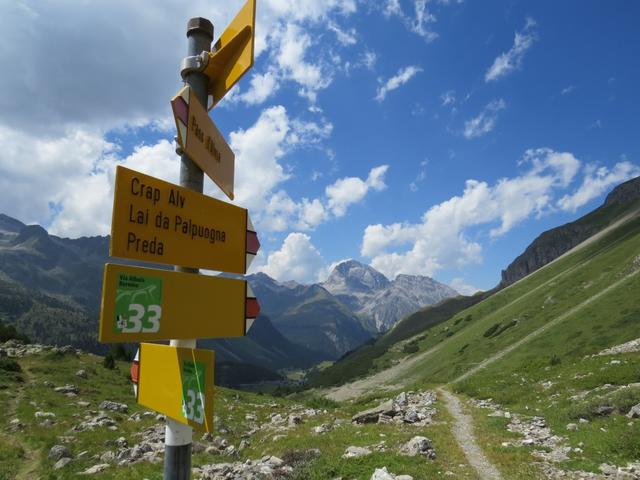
[372, 296]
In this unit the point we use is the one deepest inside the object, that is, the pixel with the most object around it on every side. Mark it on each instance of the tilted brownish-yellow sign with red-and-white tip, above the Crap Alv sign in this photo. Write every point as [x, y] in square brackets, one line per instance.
[201, 140]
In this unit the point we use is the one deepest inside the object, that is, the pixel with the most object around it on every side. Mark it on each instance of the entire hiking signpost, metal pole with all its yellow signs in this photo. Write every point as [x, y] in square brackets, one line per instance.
[156, 221]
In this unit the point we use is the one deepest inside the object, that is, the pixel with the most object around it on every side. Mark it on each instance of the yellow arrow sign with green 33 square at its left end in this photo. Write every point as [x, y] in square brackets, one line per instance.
[143, 304]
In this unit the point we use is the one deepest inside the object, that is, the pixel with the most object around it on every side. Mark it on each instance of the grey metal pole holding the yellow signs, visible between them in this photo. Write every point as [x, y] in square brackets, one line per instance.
[178, 437]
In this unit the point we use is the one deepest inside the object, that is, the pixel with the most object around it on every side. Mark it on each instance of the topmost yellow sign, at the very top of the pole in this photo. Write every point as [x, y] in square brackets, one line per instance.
[233, 54]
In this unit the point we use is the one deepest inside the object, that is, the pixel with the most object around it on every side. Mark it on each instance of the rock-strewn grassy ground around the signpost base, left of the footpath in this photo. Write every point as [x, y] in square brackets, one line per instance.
[256, 425]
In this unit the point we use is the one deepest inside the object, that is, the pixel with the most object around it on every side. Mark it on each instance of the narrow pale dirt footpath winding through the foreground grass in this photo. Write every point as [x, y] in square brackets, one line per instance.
[463, 432]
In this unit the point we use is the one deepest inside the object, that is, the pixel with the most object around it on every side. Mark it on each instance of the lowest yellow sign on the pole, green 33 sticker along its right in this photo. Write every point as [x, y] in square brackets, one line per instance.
[177, 382]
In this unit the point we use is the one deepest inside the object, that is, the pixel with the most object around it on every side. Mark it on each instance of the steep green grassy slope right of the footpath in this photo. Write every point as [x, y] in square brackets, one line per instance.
[532, 348]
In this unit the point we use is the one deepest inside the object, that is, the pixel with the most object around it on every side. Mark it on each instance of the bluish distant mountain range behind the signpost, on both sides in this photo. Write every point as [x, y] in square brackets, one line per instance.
[50, 290]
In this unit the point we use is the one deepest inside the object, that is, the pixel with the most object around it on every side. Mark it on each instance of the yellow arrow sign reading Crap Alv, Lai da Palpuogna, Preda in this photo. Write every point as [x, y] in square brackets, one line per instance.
[159, 222]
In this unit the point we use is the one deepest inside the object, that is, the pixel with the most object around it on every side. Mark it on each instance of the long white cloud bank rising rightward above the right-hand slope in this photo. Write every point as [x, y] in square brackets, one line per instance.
[442, 239]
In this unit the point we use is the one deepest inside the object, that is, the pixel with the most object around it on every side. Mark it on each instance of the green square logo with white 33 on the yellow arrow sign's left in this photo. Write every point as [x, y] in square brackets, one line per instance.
[138, 304]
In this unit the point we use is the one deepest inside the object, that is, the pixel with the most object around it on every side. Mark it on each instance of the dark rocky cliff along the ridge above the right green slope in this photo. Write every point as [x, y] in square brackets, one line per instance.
[553, 243]
